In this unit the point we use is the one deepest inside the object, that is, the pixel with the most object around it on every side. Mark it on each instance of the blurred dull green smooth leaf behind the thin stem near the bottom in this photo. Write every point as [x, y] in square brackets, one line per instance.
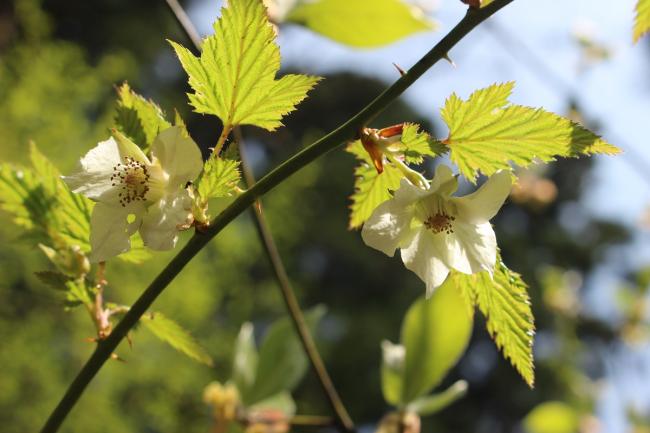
[282, 362]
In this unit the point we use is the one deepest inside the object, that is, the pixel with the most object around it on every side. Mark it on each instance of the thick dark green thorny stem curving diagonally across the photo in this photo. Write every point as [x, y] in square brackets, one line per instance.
[319, 148]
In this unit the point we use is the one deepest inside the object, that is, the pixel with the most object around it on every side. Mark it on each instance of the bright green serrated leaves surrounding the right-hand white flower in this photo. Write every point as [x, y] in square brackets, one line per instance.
[486, 134]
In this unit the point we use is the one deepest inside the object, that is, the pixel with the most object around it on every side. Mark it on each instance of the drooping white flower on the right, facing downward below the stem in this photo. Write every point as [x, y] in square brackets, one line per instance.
[437, 232]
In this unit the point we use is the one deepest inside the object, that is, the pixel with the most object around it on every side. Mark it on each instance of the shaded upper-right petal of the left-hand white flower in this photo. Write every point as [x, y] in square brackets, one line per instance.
[179, 156]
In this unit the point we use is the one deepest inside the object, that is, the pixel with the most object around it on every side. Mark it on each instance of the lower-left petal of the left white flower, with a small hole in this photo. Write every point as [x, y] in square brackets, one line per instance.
[110, 230]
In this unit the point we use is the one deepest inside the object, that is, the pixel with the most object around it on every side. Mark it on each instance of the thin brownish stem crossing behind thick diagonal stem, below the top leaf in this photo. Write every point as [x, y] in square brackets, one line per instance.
[290, 300]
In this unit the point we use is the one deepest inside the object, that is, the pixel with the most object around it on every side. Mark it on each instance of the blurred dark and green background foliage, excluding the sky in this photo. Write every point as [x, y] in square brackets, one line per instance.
[59, 63]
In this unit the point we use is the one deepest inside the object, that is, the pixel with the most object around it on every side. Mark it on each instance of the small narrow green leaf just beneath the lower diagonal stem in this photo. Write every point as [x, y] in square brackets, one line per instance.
[173, 334]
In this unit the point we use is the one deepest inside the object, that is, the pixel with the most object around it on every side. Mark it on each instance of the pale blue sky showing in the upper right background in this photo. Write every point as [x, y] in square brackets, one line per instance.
[615, 92]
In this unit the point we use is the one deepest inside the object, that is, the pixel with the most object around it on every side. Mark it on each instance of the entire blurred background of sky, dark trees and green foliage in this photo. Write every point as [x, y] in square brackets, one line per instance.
[577, 230]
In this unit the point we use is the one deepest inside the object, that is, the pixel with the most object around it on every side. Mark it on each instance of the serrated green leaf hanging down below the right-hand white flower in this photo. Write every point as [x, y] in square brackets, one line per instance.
[504, 301]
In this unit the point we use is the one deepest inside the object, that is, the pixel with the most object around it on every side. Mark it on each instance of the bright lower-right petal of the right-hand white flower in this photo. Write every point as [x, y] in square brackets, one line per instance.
[472, 248]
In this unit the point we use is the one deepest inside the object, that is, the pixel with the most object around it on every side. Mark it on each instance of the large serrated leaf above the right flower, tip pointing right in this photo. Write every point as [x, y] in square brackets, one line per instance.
[486, 134]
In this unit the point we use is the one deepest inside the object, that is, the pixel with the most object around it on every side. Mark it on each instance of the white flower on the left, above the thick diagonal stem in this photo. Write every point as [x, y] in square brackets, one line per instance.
[135, 193]
